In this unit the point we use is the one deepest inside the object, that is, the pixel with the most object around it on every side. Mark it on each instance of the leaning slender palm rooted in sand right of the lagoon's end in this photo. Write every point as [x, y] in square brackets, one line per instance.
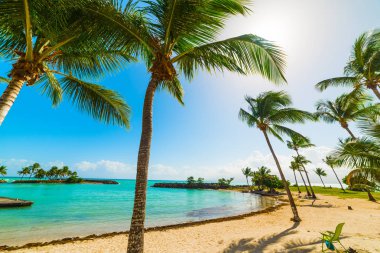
[268, 112]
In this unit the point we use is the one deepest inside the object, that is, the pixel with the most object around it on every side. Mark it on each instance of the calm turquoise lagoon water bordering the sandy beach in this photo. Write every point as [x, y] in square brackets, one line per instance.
[61, 210]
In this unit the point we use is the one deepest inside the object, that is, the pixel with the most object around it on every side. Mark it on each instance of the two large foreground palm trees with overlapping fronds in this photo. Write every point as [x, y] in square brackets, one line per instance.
[62, 47]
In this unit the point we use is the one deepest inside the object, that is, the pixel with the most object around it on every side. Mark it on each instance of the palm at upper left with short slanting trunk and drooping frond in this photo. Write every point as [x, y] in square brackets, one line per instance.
[45, 43]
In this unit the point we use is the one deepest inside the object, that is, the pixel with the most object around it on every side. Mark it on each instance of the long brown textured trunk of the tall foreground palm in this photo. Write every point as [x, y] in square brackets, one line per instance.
[136, 232]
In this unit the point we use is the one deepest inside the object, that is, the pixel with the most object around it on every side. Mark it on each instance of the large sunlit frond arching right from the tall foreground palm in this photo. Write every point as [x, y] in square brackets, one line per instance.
[246, 54]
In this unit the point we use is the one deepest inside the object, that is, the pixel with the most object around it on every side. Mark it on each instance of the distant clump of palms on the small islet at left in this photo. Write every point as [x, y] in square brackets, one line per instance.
[54, 173]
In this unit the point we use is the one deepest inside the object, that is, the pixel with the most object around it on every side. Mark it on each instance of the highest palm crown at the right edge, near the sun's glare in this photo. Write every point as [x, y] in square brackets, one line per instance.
[363, 69]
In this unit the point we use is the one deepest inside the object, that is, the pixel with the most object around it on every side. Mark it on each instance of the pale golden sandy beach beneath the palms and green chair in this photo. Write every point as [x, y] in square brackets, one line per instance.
[267, 232]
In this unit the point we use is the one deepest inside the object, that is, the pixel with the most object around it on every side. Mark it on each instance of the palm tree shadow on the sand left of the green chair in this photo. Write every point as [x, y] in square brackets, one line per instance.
[293, 246]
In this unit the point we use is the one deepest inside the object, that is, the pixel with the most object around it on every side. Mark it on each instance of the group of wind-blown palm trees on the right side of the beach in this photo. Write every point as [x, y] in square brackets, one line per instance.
[269, 111]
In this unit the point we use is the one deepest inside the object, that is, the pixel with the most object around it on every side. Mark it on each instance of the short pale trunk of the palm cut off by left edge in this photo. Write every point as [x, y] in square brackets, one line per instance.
[9, 96]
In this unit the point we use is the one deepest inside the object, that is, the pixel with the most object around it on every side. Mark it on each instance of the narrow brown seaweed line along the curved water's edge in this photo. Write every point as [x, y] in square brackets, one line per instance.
[277, 205]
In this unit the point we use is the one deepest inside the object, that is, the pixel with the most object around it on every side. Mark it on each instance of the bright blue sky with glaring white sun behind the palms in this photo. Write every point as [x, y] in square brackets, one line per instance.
[203, 138]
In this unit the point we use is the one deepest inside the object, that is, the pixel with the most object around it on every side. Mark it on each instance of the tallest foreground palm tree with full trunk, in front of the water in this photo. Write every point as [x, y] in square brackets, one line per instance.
[176, 38]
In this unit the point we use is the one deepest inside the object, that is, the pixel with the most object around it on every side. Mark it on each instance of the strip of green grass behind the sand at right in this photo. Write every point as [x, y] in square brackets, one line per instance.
[338, 192]
